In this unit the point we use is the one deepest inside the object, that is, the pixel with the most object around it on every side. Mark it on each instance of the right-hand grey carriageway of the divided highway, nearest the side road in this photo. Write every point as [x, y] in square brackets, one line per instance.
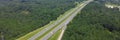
[65, 22]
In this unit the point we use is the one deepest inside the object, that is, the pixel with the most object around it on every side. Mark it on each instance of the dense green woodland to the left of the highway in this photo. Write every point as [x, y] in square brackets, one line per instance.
[19, 17]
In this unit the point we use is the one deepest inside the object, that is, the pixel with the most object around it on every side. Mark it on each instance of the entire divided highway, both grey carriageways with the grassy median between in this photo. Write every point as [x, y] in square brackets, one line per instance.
[58, 23]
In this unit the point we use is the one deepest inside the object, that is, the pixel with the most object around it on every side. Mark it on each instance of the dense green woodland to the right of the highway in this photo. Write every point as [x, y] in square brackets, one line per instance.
[95, 22]
